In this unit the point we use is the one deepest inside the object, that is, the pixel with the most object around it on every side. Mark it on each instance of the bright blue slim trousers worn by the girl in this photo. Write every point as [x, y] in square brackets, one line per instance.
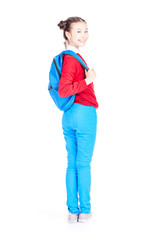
[79, 127]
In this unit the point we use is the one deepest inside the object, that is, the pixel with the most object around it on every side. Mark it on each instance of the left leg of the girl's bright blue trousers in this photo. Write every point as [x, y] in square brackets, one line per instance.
[71, 172]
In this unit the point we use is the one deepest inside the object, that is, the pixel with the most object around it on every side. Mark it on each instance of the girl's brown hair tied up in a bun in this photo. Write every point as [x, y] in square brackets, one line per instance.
[66, 25]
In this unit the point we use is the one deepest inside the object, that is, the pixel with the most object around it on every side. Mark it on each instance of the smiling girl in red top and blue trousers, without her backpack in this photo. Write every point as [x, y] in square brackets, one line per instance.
[79, 122]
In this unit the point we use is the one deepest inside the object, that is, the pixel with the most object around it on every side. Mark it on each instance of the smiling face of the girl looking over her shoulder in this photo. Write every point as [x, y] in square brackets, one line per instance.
[78, 35]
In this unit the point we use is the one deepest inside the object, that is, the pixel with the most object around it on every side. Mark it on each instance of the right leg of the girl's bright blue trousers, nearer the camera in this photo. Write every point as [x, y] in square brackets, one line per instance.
[86, 136]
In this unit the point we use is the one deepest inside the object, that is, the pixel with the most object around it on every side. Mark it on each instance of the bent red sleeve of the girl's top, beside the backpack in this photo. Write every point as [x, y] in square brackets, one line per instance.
[67, 84]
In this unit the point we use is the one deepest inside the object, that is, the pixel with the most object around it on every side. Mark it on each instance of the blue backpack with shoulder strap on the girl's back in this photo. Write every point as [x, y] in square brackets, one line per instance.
[54, 76]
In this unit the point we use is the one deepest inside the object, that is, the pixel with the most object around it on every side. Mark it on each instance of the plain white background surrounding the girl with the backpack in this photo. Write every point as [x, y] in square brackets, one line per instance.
[124, 49]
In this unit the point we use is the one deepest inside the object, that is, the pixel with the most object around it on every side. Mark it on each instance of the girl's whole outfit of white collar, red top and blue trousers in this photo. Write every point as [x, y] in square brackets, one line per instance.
[79, 125]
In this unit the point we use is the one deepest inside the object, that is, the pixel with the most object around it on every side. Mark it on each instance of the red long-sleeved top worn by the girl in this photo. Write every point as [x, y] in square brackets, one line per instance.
[72, 82]
